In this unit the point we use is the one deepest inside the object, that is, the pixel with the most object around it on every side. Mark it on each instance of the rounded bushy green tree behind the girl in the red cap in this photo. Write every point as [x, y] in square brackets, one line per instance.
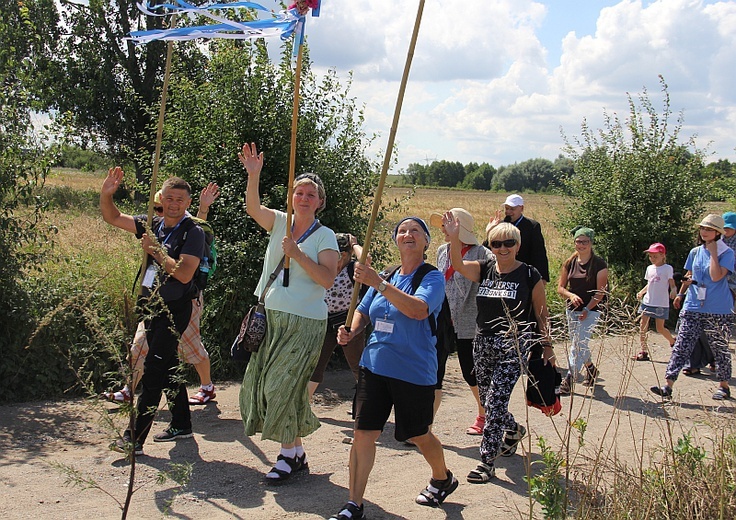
[635, 183]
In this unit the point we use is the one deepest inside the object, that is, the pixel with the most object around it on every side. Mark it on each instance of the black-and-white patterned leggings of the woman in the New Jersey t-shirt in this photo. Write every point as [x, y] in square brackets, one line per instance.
[498, 365]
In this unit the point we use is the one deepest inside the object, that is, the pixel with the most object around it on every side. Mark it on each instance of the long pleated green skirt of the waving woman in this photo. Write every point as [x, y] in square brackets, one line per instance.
[274, 398]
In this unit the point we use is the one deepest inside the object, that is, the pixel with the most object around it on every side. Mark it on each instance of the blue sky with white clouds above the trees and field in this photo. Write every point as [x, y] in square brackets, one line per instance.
[497, 80]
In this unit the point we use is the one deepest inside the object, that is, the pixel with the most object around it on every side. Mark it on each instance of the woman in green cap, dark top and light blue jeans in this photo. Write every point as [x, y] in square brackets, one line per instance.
[583, 282]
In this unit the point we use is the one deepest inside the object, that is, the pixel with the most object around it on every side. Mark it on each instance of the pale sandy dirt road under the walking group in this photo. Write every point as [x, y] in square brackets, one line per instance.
[622, 418]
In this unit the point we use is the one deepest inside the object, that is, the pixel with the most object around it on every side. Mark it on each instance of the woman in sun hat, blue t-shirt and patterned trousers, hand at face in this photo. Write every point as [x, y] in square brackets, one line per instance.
[707, 306]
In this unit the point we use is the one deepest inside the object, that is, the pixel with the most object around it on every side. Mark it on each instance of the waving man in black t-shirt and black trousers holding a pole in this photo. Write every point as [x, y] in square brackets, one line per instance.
[174, 252]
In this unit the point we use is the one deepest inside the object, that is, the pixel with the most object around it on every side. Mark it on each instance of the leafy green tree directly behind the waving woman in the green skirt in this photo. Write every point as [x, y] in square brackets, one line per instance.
[247, 98]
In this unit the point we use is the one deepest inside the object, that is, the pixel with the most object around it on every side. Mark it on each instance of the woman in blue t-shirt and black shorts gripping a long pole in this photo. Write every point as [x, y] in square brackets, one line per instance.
[398, 368]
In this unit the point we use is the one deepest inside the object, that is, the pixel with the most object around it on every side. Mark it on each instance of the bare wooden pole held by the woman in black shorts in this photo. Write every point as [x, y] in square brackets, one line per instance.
[386, 160]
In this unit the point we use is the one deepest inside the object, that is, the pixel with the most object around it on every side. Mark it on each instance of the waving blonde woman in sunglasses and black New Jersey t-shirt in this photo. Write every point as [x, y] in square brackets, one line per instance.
[512, 315]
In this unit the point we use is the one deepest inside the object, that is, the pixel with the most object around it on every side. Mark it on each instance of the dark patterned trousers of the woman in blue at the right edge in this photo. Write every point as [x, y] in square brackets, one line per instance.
[716, 328]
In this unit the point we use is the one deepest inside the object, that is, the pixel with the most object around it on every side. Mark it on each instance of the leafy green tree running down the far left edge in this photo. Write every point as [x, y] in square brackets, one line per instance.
[24, 165]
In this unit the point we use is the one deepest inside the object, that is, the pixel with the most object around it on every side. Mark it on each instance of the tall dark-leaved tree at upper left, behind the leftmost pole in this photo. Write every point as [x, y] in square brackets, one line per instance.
[107, 88]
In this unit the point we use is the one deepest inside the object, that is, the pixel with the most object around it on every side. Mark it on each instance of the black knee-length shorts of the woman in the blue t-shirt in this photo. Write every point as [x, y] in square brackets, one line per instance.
[413, 405]
